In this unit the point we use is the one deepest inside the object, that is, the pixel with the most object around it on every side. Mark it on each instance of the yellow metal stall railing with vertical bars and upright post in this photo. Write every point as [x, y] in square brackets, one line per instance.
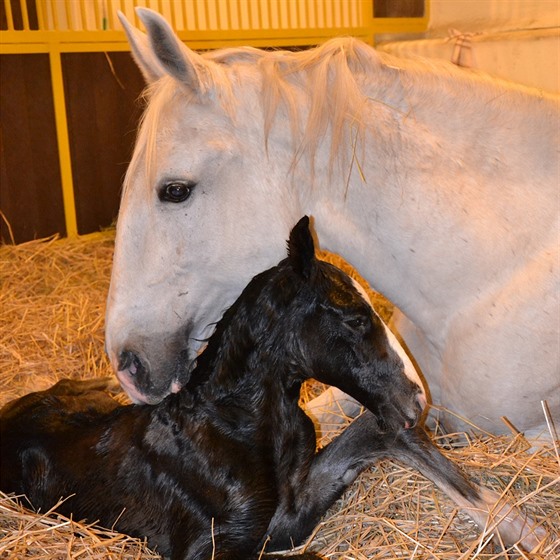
[54, 27]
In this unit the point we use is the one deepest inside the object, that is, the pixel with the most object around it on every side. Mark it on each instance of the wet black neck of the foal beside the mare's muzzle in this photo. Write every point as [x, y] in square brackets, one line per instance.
[246, 372]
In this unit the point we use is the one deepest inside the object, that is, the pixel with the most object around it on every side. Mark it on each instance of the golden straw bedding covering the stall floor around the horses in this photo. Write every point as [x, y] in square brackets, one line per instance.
[52, 301]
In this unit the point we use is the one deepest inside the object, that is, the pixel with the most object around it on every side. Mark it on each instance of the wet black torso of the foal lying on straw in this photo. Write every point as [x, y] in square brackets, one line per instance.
[187, 473]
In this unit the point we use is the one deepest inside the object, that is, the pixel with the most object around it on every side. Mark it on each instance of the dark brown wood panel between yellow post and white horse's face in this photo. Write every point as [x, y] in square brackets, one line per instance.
[103, 111]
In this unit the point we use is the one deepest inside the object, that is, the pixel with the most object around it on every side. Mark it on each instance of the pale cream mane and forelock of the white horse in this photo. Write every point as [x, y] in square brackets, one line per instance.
[332, 78]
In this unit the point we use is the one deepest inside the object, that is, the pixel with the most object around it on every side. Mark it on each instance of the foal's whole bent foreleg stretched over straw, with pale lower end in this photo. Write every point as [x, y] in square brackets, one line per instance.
[337, 465]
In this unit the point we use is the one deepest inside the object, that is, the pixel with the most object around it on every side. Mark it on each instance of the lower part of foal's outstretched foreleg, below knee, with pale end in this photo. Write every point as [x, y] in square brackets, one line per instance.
[490, 511]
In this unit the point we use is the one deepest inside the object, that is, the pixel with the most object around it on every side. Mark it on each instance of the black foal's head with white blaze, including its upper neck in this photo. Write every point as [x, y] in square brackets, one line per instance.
[312, 320]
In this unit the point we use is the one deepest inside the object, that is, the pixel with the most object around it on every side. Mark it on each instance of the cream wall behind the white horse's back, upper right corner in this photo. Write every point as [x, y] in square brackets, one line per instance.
[518, 40]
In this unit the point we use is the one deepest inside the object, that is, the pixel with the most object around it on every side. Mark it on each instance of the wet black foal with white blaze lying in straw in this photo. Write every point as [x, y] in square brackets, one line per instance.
[229, 463]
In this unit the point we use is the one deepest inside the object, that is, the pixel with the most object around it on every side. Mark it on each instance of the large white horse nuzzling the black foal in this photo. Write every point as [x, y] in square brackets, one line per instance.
[440, 185]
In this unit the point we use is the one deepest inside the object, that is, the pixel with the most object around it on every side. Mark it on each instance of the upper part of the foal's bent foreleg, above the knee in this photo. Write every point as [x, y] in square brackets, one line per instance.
[330, 472]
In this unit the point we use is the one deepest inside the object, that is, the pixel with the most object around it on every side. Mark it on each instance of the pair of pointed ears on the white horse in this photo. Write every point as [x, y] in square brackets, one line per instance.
[161, 52]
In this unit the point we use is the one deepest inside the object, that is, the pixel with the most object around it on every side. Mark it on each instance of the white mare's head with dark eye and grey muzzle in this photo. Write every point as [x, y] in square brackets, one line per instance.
[220, 173]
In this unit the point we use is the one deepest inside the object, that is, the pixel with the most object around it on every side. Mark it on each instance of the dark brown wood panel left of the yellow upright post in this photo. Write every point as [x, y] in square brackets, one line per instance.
[30, 187]
